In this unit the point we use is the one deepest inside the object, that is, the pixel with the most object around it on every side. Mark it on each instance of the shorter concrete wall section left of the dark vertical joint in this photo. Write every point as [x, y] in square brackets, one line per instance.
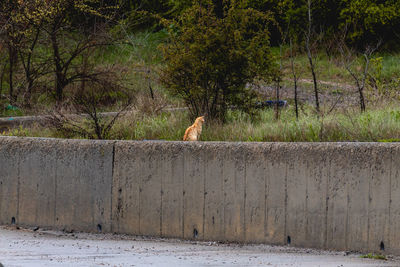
[56, 183]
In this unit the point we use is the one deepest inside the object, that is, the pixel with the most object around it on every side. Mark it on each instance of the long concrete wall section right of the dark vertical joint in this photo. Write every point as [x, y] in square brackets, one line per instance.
[311, 195]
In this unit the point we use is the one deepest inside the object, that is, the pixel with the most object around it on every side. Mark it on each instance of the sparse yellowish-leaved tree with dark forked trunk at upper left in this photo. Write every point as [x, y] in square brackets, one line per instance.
[68, 40]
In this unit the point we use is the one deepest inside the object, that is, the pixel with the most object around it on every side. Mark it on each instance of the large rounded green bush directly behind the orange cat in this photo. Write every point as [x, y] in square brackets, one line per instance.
[211, 58]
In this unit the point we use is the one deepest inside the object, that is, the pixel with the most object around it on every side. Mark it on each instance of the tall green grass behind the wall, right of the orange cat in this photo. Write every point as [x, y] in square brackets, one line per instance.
[372, 126]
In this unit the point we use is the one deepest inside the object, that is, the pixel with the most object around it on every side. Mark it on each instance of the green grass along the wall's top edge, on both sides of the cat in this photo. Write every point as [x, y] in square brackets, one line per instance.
[379, 125]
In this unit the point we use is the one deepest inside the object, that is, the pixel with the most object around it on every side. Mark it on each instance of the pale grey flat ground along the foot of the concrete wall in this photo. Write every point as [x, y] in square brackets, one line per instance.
[27, 247]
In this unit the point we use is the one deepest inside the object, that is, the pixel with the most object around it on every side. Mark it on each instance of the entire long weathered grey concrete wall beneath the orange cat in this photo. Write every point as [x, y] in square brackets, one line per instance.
[343, 196]
